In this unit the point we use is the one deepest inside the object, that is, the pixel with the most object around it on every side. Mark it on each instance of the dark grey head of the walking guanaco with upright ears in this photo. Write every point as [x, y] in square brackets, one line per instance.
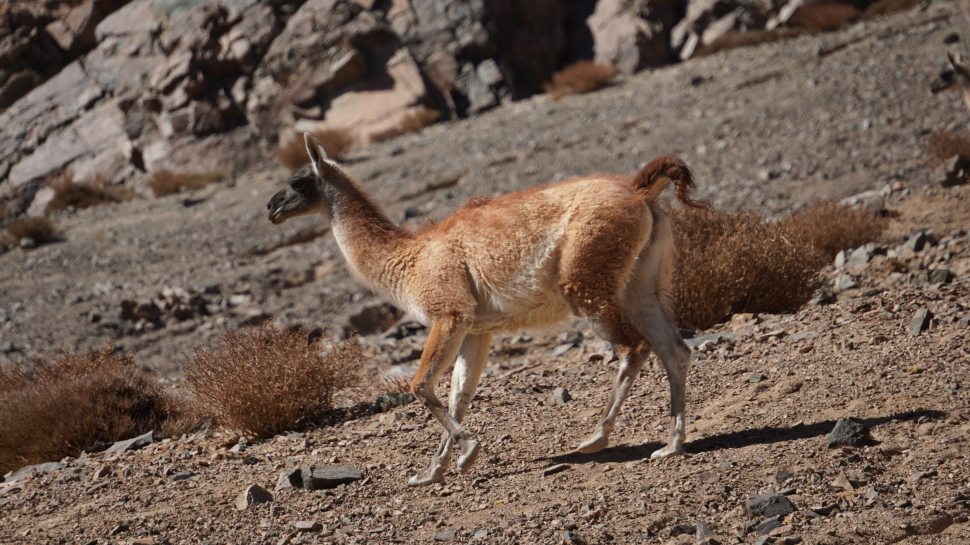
[305, 194]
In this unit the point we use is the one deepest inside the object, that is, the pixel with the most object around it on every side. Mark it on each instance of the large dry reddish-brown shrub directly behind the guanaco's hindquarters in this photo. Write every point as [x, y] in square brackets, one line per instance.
[732, 263]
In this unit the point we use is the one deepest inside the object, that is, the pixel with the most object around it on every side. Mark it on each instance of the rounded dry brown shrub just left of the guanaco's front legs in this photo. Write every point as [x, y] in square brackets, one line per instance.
[266, 381]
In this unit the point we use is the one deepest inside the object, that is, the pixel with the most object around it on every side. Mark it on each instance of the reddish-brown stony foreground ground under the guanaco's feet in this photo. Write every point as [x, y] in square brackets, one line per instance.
[845, 423]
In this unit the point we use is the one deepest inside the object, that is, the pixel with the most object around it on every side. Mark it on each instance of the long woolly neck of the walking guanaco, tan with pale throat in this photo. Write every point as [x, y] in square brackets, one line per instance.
[367, 238]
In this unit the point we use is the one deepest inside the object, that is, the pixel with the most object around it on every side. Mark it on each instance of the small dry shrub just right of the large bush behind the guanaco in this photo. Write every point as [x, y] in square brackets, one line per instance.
[832, 227]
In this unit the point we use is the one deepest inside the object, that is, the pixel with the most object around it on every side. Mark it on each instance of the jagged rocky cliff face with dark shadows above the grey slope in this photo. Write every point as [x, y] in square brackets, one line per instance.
[119, 89]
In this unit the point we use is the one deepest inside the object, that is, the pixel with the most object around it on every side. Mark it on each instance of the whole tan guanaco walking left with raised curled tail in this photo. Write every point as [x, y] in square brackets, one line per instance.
[597, 247]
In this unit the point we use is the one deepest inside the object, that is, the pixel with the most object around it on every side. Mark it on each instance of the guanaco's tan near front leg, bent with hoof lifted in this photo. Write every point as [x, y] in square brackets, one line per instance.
[444, 341]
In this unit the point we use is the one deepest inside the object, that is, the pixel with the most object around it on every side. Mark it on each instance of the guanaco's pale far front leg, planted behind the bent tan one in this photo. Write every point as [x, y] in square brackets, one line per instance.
[464, 382]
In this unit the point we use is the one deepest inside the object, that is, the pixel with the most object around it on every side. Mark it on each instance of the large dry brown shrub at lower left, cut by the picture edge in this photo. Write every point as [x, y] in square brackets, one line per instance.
[56, 408]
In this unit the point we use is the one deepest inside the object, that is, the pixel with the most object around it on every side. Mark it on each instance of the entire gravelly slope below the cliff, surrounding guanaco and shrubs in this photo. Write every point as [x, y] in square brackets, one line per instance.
[772, 128]
